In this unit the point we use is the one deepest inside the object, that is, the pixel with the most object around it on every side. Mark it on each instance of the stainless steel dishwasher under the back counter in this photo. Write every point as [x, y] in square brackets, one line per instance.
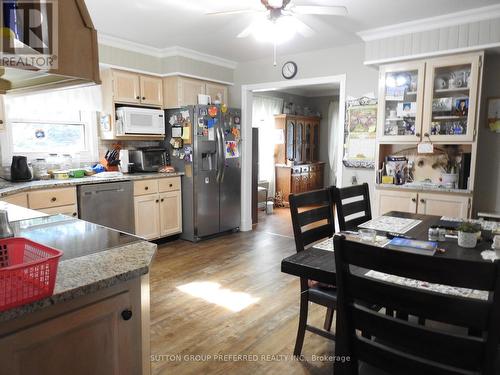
[108, 204]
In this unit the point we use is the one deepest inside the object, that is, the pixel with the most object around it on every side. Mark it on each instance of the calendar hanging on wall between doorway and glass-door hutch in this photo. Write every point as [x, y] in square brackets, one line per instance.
[360, 133]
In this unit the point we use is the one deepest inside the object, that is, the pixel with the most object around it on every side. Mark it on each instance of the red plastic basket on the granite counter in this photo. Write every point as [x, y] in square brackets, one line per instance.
[27, 271]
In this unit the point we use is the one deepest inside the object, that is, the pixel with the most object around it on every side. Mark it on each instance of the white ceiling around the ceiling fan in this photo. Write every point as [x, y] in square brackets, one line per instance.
[167, 23]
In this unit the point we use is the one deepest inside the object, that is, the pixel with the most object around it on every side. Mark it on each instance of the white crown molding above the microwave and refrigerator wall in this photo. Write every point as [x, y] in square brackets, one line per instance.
[112, 41]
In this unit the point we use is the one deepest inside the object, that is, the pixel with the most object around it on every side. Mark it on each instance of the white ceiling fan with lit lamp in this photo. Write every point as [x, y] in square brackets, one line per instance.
[279, 22]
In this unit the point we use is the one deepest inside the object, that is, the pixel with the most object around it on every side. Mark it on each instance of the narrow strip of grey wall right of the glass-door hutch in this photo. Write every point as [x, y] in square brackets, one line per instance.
[487, 189]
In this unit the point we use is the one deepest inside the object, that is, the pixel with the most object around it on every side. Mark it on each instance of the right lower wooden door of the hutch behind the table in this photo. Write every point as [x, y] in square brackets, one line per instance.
[443, 205]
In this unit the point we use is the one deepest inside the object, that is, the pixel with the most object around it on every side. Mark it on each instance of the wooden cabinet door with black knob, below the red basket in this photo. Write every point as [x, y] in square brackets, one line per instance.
[99, 339]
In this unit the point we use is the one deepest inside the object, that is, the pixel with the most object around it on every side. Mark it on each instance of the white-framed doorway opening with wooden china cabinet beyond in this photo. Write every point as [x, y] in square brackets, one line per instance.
[296, 130]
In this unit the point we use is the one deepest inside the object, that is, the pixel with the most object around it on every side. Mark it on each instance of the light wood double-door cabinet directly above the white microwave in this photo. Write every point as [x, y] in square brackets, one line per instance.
[129, 87]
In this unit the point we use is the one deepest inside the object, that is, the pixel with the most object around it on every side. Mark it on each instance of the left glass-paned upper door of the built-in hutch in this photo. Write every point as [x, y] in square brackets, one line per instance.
[401, 89]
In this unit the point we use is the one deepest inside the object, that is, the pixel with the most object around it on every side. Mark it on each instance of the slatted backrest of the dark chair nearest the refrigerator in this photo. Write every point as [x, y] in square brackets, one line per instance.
[312, 216]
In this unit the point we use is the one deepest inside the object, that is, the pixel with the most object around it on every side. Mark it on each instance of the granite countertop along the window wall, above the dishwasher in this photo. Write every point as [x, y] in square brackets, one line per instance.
[8, 188]
